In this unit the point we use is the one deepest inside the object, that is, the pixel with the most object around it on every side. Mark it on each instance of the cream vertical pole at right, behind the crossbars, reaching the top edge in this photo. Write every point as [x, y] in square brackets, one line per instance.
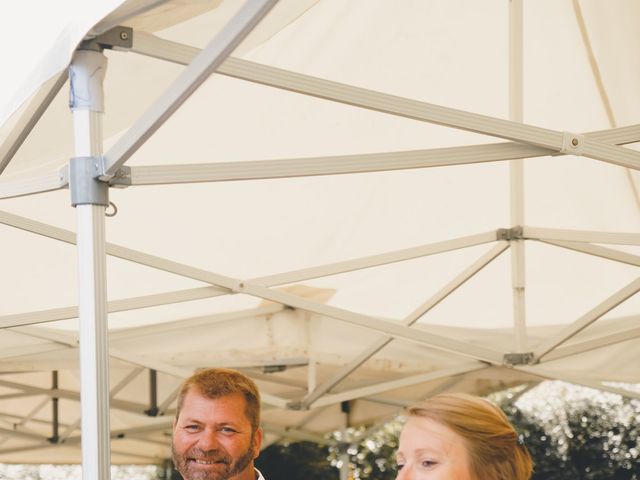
[517, 176]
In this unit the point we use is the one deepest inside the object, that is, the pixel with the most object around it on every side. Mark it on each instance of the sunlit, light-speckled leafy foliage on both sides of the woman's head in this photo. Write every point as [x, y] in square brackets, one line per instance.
[570, 432]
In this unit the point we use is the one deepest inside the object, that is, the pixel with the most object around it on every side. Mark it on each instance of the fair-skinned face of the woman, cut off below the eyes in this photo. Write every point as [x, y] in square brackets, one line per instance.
[428, 450]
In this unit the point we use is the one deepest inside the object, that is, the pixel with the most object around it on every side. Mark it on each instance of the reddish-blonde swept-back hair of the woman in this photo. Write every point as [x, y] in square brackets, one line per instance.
[496, 452]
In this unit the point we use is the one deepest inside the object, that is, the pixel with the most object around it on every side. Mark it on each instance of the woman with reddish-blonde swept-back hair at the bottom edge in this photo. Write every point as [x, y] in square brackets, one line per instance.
[460, 437]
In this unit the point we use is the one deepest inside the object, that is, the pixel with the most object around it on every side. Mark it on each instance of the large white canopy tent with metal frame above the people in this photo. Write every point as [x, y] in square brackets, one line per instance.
[368, 202]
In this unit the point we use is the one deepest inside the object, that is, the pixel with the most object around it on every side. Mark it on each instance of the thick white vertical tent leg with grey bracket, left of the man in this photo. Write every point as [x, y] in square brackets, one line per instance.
[90, 197]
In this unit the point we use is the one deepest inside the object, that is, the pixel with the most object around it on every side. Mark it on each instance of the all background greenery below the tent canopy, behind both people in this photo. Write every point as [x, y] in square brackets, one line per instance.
[572, 433]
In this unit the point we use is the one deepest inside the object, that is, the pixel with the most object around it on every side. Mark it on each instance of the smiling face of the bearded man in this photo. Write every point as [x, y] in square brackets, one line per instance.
[212, 438]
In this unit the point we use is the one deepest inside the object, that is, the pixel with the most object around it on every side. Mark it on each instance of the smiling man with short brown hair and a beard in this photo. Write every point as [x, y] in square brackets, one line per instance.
[216, 432]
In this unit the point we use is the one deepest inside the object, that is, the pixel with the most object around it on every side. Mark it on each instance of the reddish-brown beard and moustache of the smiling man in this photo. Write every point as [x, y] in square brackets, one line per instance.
[227, 467]
